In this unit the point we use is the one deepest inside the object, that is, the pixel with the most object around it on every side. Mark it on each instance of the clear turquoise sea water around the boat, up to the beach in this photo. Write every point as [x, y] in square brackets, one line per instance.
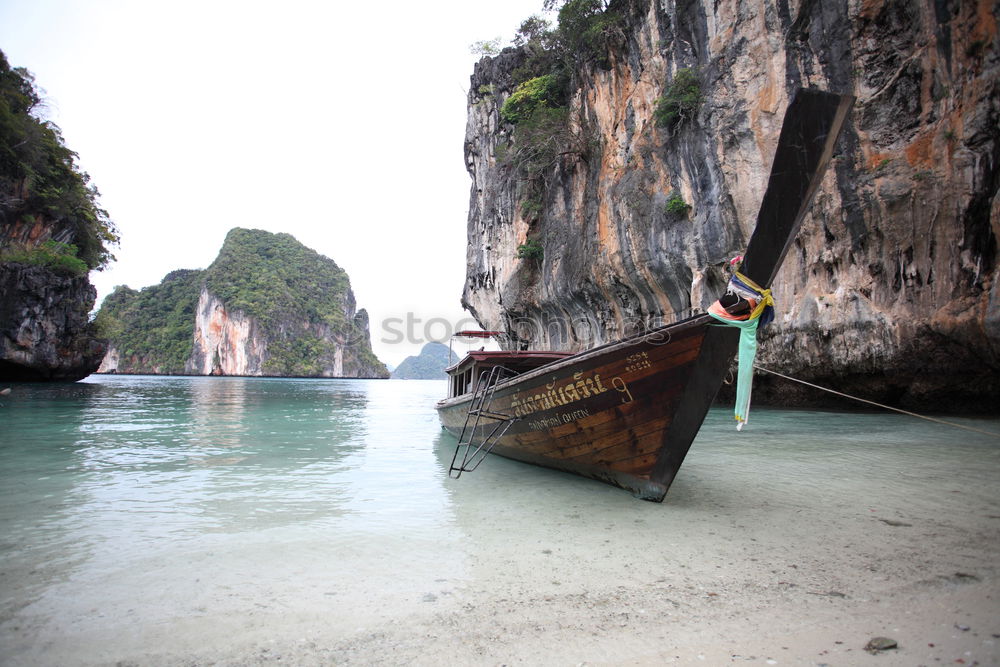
[140, 512]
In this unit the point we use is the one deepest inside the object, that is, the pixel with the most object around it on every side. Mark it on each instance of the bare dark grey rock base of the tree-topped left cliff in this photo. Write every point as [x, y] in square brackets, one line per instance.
[45, 332]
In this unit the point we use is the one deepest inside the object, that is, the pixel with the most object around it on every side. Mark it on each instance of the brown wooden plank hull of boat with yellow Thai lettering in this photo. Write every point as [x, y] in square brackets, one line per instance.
[610, 413]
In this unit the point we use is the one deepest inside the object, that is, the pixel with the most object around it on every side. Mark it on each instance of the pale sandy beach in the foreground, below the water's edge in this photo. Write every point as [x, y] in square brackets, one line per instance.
[817, 597]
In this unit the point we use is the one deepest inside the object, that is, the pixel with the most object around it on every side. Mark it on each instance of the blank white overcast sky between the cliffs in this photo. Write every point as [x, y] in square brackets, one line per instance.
[341, 123]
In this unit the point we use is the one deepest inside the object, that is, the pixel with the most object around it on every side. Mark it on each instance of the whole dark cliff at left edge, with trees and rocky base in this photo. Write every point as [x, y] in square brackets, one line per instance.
[52, 233]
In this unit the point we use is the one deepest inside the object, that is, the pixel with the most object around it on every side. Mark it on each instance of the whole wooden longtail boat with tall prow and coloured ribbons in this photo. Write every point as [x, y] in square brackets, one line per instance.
[627, 412]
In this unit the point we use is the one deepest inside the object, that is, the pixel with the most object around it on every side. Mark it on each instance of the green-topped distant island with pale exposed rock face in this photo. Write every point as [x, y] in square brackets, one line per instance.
[267, 306]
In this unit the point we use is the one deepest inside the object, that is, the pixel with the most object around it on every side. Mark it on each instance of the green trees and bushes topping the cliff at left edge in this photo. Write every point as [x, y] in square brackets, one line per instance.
[40, 184]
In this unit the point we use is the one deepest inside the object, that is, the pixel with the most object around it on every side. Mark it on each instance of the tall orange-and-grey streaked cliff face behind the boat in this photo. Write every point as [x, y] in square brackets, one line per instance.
[891, 289]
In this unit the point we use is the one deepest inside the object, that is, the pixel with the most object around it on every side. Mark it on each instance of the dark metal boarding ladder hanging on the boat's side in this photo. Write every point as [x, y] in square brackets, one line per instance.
[483, 426]
